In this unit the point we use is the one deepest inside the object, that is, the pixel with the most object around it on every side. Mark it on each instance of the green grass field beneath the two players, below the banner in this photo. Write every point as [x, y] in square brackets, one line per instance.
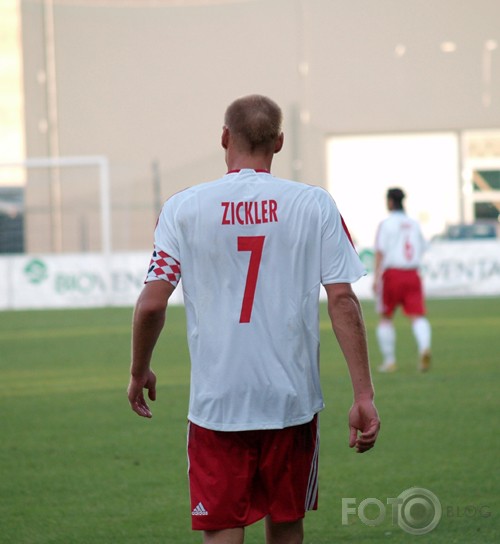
[78, 466]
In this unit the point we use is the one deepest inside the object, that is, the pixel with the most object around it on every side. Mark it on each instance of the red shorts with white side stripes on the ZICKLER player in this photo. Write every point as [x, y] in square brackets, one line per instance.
[237, 478]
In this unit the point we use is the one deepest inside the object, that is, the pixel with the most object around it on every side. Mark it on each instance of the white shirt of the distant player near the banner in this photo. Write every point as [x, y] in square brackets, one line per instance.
[400, 240]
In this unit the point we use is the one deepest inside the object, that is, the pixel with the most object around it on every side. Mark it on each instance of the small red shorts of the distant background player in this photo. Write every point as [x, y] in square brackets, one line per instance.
[401, 288]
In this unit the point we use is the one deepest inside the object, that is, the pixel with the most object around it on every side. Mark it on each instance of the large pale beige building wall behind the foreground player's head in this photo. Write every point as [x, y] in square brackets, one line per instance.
[149, 81]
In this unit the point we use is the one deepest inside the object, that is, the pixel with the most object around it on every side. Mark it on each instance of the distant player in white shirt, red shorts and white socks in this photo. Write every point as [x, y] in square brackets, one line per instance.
[399, 246]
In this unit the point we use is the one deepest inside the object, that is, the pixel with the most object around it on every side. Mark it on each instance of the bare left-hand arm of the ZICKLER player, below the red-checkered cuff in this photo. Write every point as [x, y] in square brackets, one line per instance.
[148, 321]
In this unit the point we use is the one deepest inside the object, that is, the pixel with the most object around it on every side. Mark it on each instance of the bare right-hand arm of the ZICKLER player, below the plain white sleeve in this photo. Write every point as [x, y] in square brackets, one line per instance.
[348, 325]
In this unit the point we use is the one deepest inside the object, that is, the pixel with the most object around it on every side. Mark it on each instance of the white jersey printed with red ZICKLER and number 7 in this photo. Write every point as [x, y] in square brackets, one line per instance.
[252, 250]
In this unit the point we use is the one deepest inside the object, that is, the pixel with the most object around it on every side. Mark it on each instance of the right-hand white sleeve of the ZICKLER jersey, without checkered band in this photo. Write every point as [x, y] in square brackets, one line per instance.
[340, 262]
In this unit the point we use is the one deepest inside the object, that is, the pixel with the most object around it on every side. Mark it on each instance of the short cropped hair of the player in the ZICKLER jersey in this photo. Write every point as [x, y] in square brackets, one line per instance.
[254, 122]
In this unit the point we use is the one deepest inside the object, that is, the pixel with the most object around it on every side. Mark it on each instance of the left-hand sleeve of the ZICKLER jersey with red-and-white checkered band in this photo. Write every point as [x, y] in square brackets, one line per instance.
[165, 262]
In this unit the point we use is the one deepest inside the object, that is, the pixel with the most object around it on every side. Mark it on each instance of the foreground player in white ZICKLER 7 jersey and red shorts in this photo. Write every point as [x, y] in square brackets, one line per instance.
[252, 251]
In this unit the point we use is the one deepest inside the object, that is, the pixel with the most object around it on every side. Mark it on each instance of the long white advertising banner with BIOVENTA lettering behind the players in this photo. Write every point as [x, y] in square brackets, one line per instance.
[451, 269]
